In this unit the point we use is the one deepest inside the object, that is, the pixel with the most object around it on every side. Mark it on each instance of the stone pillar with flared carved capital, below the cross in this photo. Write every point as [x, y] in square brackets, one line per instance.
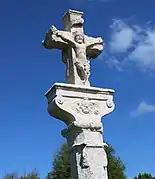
[82, 108]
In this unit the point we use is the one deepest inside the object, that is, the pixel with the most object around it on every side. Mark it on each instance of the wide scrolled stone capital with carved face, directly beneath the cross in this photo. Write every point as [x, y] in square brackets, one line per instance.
[83, 106]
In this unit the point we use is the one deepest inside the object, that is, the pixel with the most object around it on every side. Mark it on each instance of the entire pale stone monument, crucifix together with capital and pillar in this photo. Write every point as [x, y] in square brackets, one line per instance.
[77, 104]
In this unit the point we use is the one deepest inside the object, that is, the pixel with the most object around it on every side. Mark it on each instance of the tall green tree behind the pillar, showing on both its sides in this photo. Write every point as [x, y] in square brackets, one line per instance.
[61, 166]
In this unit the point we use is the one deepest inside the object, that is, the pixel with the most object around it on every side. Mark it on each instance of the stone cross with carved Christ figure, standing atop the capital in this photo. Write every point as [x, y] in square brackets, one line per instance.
[76, 47]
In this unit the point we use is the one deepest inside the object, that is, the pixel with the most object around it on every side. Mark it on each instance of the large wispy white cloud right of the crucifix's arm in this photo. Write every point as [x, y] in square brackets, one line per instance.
[135, 45]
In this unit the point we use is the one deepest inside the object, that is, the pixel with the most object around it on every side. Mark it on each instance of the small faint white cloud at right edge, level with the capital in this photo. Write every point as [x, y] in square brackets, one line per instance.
[142, 109]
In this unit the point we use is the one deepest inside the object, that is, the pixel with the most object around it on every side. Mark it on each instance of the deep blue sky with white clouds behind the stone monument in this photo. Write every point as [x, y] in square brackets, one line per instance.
[28, 135]
